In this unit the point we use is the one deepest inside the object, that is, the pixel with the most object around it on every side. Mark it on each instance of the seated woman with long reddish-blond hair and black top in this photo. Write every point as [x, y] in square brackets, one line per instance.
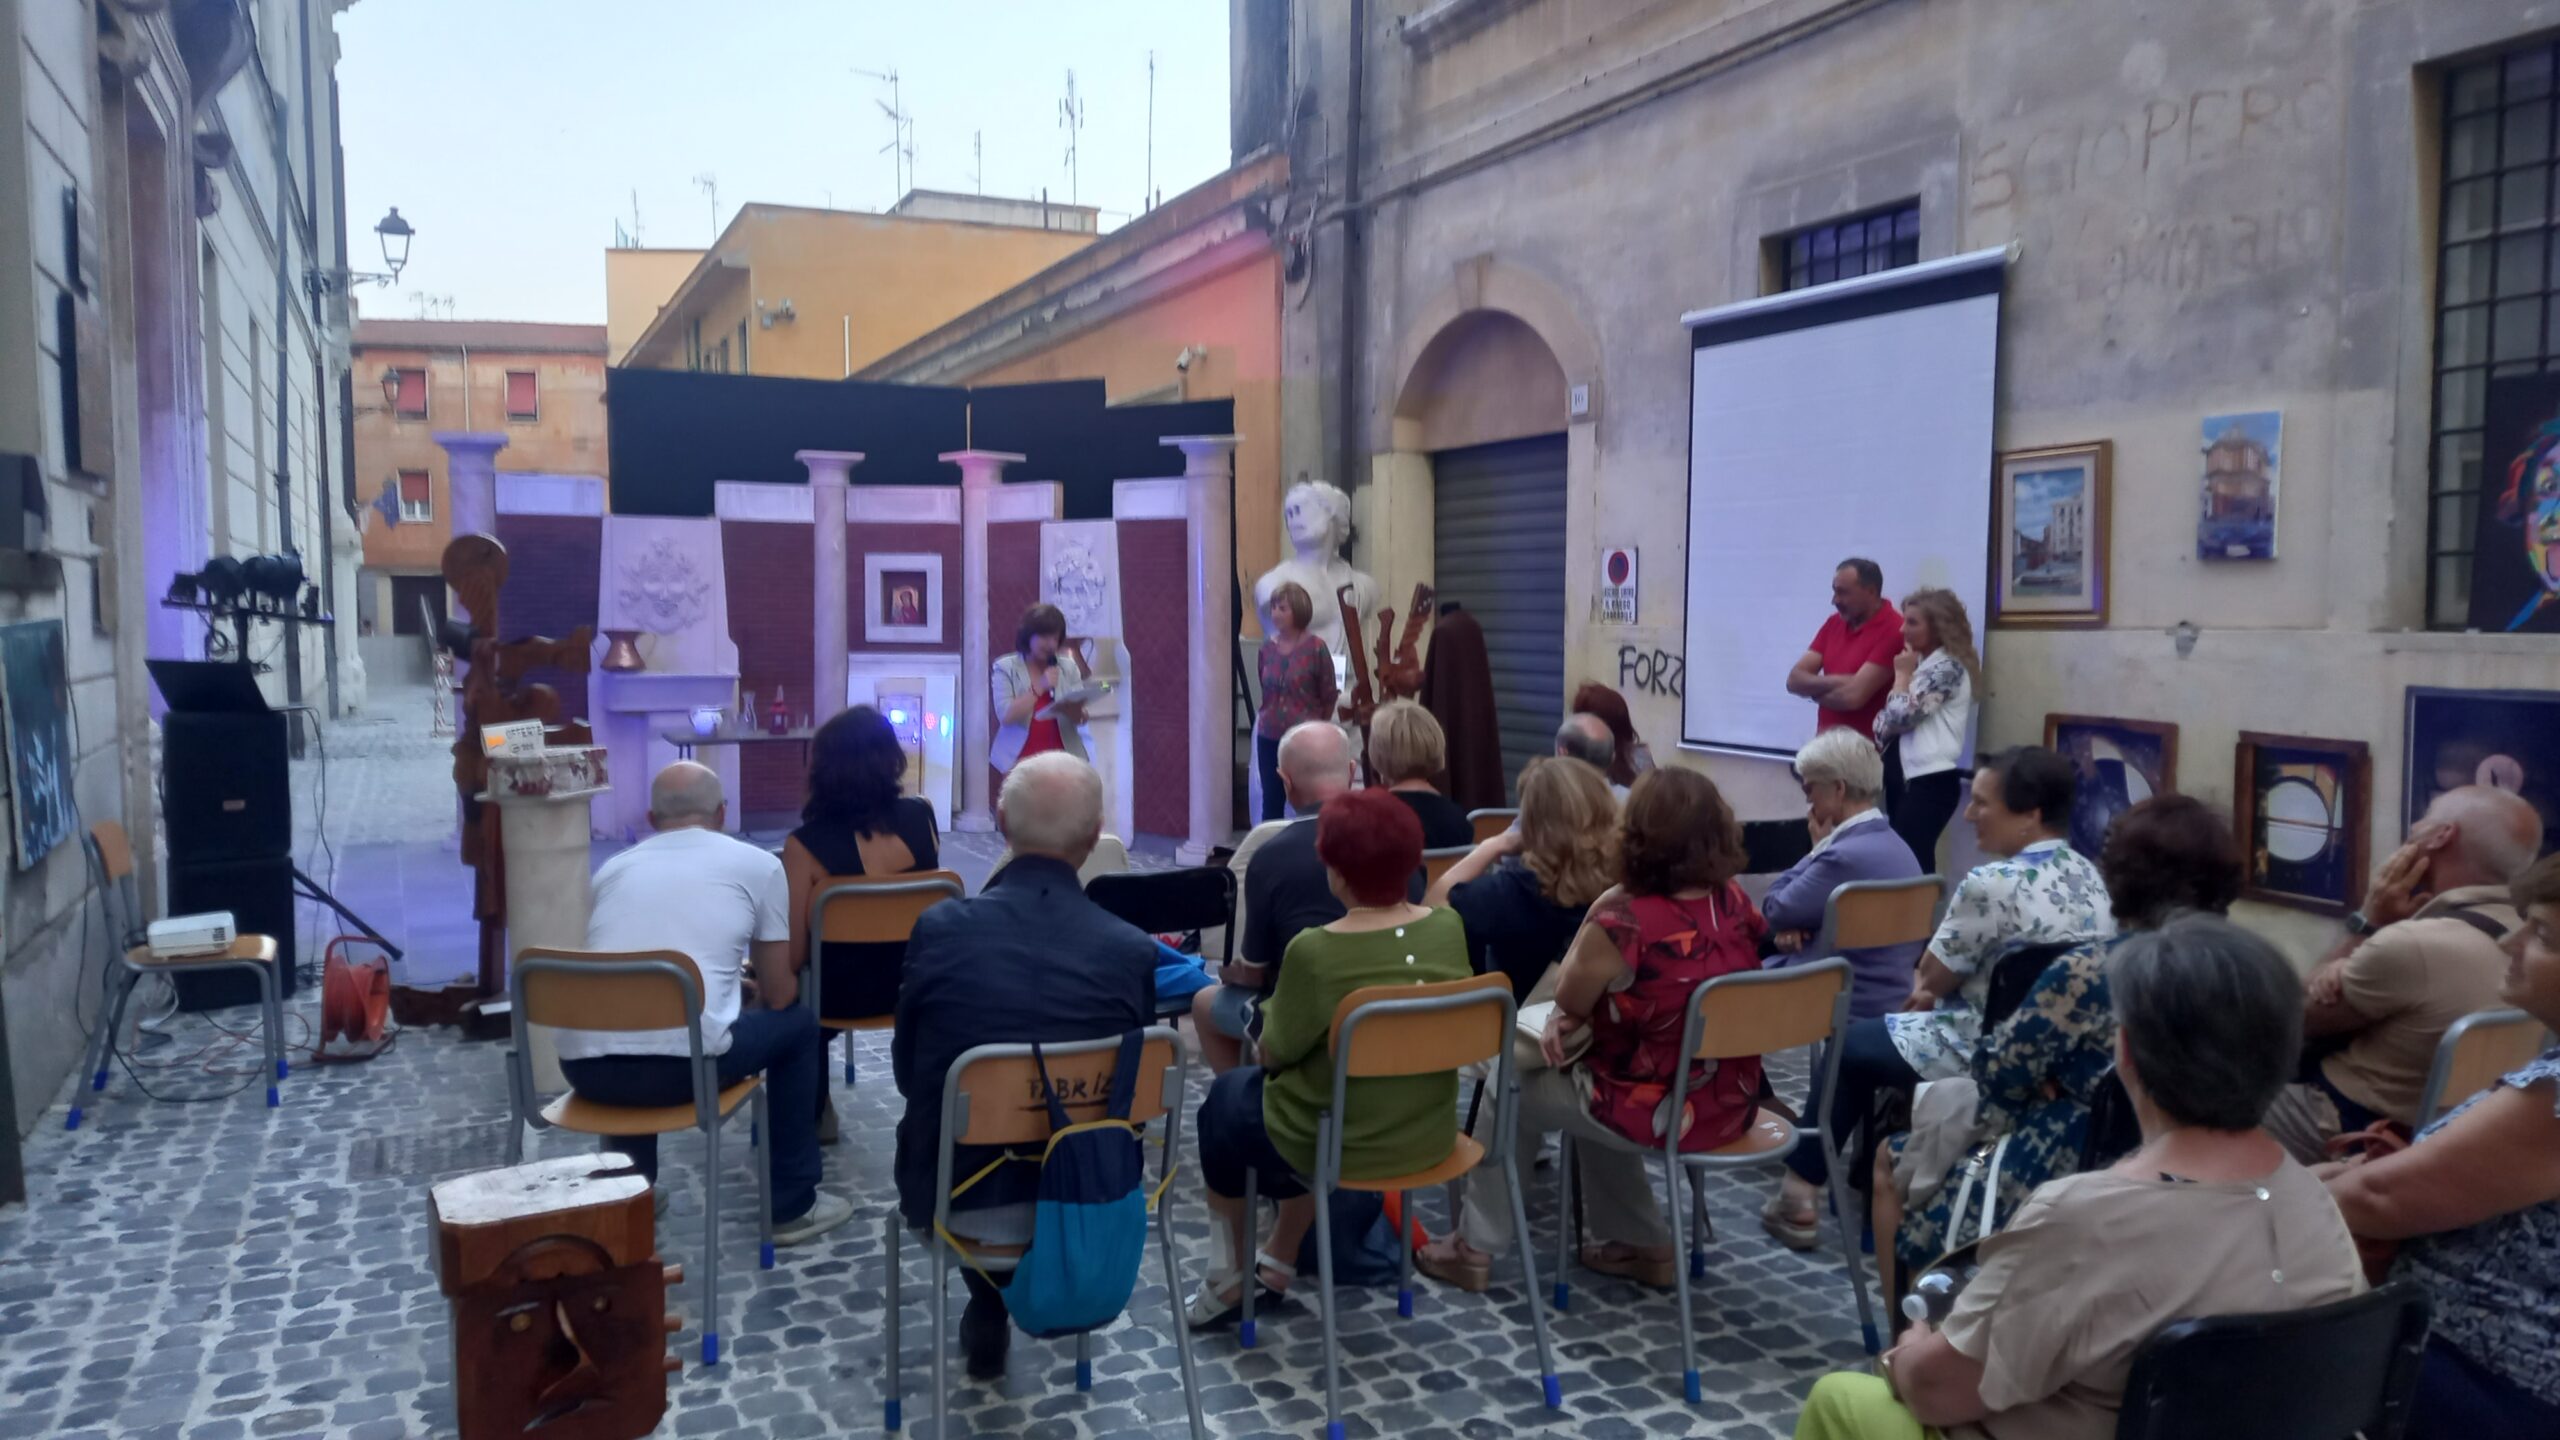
[1527, 890]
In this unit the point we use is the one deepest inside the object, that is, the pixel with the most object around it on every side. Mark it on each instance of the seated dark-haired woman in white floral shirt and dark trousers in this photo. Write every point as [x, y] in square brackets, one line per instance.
[2036, 893]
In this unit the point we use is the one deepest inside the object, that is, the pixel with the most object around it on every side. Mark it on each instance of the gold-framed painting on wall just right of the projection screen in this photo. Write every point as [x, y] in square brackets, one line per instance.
[2049, 537]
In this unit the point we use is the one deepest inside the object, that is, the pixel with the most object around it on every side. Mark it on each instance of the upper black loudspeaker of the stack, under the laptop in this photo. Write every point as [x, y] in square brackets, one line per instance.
[227, 788]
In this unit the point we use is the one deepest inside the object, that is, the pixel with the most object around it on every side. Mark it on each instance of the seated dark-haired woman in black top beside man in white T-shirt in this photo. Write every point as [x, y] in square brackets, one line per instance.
[856, 824]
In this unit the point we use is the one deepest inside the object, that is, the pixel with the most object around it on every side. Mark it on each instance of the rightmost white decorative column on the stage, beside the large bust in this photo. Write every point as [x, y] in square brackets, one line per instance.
[1210, 580]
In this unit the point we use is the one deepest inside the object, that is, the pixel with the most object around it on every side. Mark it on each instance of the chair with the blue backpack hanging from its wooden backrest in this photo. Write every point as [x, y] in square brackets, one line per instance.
[984, 1106]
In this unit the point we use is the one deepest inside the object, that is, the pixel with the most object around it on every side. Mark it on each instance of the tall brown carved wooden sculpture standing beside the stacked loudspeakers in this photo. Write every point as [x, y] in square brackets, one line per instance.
[495, 691]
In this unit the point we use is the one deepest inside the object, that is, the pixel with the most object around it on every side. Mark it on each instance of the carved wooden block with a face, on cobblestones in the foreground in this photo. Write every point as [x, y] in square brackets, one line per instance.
[559, 1303]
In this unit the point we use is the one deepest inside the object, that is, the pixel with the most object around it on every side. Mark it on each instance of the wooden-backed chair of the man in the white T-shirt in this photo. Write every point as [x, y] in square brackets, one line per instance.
[623, 993]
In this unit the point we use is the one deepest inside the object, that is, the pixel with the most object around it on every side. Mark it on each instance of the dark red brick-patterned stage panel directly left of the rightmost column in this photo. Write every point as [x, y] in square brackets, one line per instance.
[1158, 701]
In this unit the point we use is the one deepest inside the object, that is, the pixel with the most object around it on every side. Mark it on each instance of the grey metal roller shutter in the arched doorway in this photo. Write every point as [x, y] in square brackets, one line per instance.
[1499, 529]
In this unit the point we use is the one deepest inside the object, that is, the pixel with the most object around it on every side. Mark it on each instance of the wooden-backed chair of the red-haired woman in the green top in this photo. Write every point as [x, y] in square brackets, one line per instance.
[1414, 1031]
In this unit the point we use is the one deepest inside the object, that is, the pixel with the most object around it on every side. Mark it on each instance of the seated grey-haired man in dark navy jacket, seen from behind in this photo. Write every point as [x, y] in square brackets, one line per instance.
[1025, 962]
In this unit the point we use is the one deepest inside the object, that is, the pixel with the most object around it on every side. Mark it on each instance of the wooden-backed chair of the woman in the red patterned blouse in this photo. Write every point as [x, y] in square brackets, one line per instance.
[1737, 1016]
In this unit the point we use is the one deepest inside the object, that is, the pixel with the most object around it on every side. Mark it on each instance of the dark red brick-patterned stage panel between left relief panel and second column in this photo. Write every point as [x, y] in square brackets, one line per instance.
[772, 570]
